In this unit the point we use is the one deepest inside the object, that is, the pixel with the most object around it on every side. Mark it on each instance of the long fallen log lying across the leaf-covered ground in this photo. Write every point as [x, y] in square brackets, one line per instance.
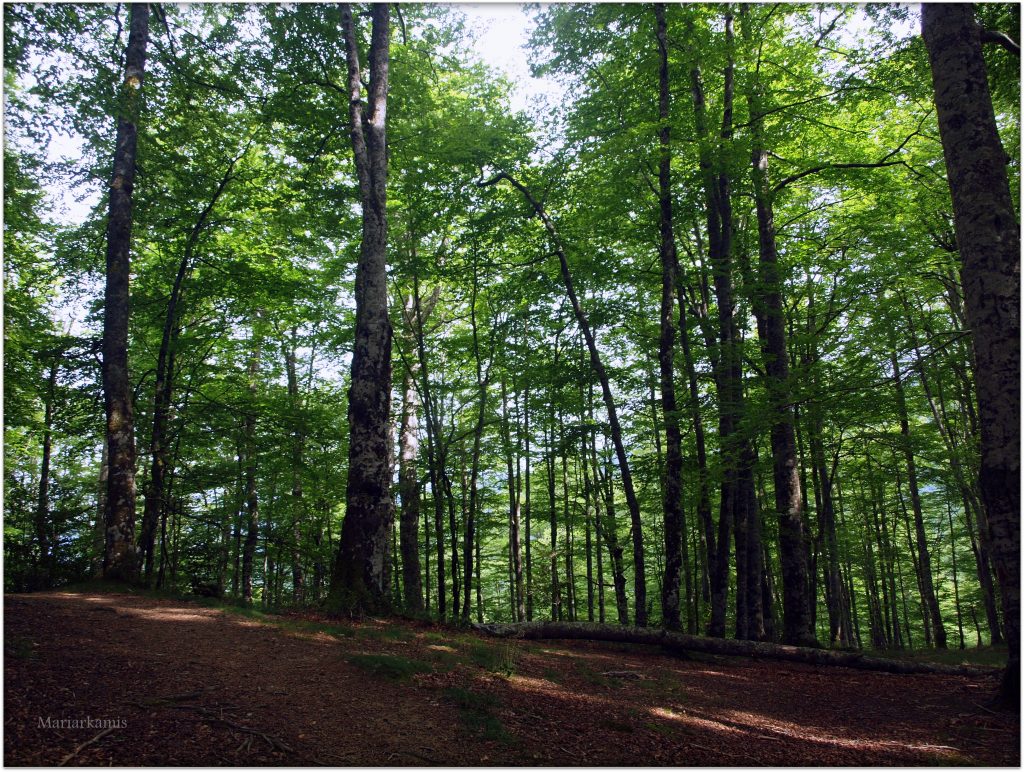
[681, 644]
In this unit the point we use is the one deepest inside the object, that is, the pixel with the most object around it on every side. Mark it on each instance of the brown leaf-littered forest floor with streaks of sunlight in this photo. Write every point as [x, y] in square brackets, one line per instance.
[188, 683]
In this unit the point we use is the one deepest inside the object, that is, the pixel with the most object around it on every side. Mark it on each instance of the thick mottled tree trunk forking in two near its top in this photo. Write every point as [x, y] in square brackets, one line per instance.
[358, 585]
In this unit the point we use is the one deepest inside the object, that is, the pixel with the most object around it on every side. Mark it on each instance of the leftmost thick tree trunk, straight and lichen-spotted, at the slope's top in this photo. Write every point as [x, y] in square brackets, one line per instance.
[120, 561]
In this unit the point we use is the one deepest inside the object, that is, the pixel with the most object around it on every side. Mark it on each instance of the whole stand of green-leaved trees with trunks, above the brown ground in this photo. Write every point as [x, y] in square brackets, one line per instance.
[693, 349]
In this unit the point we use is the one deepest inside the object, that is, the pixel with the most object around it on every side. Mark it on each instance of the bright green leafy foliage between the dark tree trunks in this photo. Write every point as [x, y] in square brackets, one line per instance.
[246, 183]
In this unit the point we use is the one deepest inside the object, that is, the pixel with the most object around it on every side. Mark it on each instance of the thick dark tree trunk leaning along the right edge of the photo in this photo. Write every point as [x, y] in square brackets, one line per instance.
[989, 238]
